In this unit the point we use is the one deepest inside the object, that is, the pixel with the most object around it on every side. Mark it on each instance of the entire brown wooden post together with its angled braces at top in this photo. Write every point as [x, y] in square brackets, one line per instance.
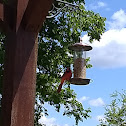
[21, 59]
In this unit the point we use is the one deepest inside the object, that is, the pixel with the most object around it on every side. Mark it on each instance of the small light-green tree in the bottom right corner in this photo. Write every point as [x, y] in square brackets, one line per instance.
[115, 114]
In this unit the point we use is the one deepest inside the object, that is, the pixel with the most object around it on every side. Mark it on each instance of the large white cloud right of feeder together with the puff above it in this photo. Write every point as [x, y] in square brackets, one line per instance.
[110, 52]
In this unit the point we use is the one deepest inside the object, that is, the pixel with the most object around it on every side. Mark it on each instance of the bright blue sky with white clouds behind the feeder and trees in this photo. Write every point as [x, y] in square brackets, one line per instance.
[108, 58]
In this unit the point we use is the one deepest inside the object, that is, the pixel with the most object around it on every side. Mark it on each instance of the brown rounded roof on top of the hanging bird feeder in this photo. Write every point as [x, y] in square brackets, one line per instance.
[80, 47]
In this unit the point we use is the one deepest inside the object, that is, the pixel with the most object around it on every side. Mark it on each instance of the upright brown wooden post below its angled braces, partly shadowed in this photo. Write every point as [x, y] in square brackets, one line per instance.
[19, 79]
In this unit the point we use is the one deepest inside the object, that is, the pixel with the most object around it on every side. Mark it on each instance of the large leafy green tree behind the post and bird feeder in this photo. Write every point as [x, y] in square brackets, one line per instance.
[54, 38]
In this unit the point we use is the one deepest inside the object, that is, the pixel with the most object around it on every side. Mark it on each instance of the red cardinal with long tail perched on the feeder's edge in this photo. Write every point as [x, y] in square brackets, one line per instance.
[66, 76]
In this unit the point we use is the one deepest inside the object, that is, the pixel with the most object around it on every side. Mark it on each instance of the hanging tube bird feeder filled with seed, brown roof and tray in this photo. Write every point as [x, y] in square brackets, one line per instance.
[80, 63]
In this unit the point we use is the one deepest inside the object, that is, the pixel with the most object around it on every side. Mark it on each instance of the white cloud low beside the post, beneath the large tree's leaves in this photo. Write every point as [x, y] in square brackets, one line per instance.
[48, 121]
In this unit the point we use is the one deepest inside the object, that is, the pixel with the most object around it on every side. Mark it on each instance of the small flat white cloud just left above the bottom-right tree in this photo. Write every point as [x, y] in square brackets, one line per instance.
[96, 102]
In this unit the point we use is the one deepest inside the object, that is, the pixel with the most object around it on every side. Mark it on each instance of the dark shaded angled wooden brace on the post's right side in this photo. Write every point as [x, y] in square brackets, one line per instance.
[35, 14]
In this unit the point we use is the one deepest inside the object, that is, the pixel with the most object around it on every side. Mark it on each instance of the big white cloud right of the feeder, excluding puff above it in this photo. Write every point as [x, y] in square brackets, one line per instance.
[110, 52]
